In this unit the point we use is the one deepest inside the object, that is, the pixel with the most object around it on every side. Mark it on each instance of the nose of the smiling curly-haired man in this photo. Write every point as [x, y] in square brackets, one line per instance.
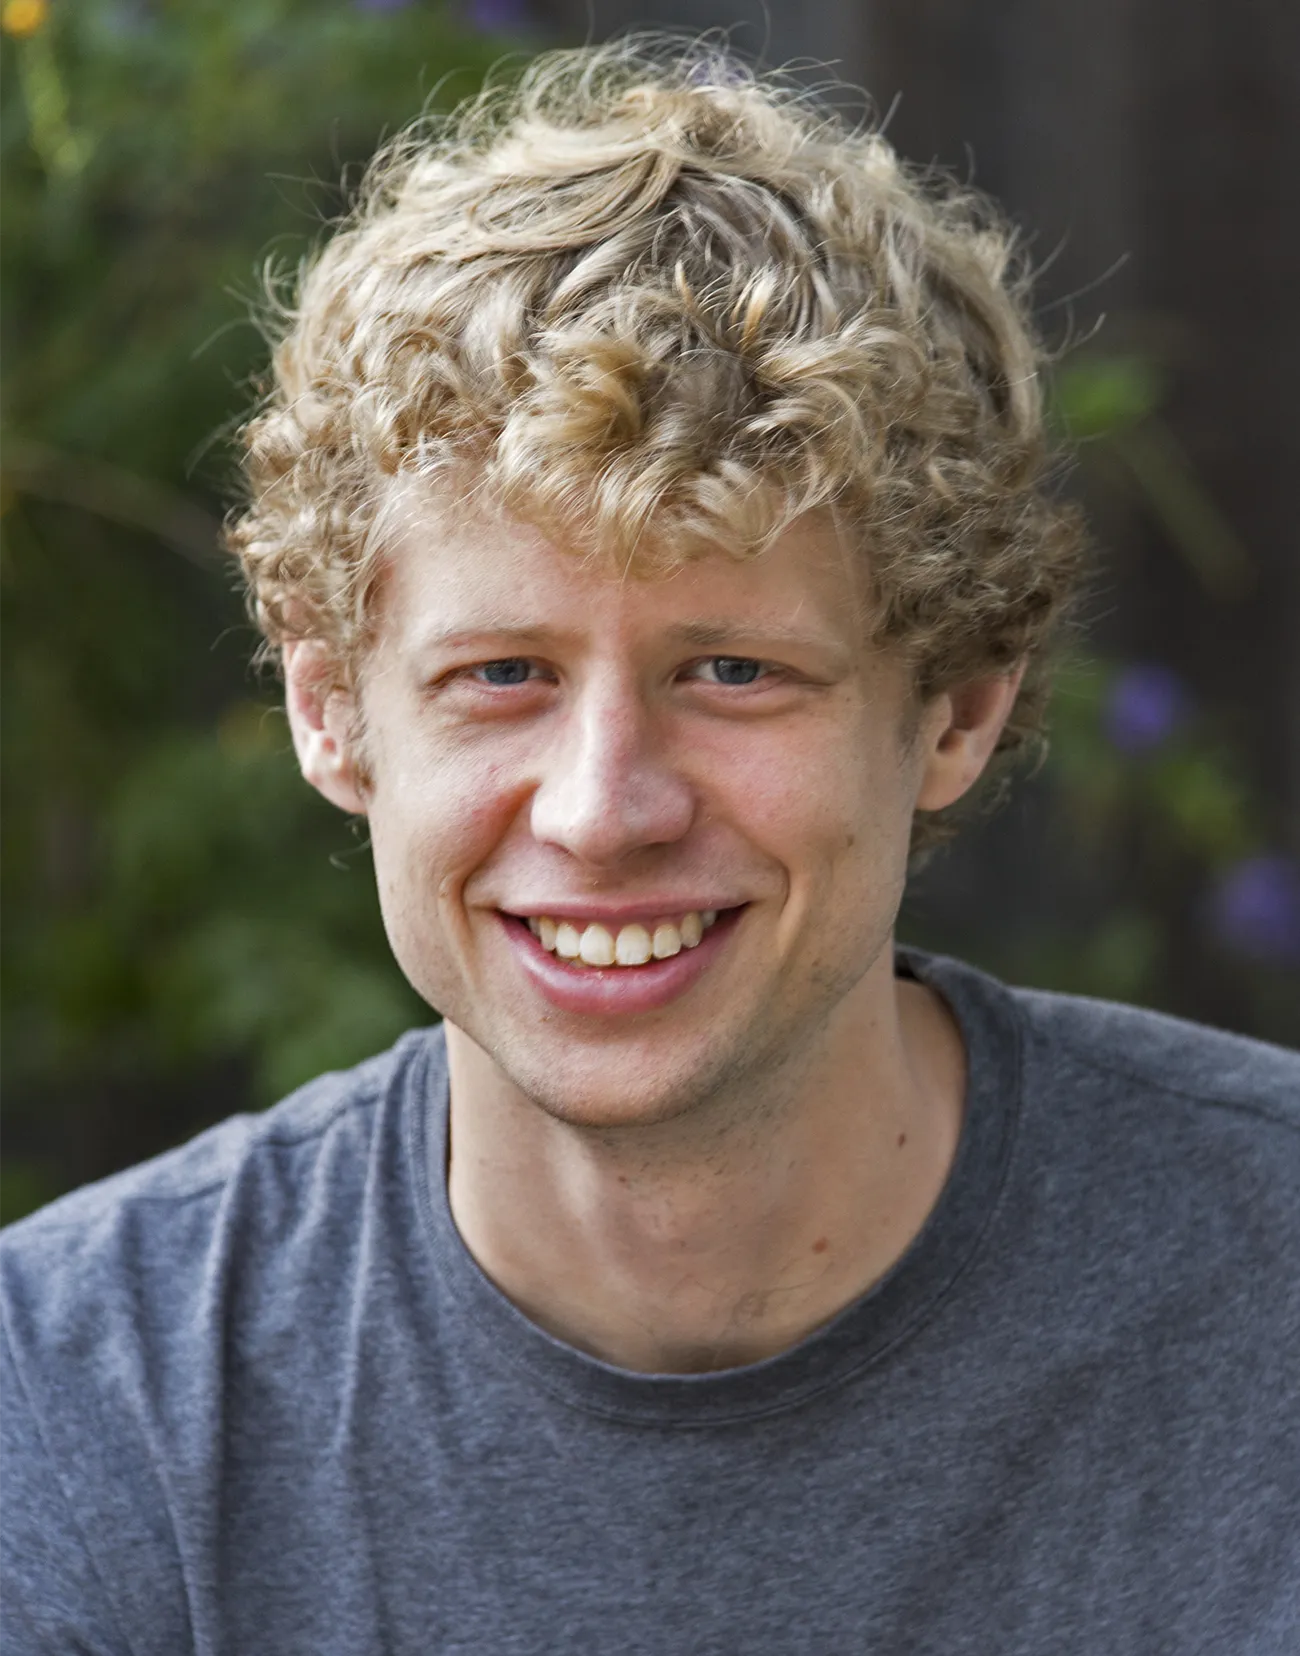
[609, 789]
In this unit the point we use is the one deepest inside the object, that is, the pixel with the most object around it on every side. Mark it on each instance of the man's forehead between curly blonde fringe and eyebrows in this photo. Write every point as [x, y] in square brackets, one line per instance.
[456, 567]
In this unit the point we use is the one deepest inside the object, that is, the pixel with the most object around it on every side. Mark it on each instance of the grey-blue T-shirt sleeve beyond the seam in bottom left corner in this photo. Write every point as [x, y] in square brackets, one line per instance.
[52, 1601]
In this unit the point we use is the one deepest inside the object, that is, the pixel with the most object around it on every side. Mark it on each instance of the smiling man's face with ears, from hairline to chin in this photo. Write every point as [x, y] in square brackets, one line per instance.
[711, 769]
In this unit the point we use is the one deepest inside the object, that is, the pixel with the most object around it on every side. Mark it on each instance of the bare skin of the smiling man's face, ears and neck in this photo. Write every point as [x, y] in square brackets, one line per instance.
[655, 907]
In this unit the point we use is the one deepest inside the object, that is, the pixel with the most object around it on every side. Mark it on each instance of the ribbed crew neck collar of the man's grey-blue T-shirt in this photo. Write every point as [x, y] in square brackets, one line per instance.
[864, 1334]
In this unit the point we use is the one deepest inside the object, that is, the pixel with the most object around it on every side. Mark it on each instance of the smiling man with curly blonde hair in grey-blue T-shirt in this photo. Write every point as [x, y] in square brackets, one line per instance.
[650, 513]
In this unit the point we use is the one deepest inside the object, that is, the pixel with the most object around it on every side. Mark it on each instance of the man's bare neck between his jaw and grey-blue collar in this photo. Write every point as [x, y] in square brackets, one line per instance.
[726, 1236]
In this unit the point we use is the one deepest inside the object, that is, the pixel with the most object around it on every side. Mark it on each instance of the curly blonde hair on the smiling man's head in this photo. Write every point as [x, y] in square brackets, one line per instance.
[663, 304]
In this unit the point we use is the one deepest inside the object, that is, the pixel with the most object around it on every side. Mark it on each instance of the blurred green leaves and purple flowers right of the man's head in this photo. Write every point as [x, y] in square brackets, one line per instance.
[1157, 870]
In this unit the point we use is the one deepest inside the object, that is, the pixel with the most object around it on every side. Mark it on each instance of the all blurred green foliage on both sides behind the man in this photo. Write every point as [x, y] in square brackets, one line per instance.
[185, 928]
